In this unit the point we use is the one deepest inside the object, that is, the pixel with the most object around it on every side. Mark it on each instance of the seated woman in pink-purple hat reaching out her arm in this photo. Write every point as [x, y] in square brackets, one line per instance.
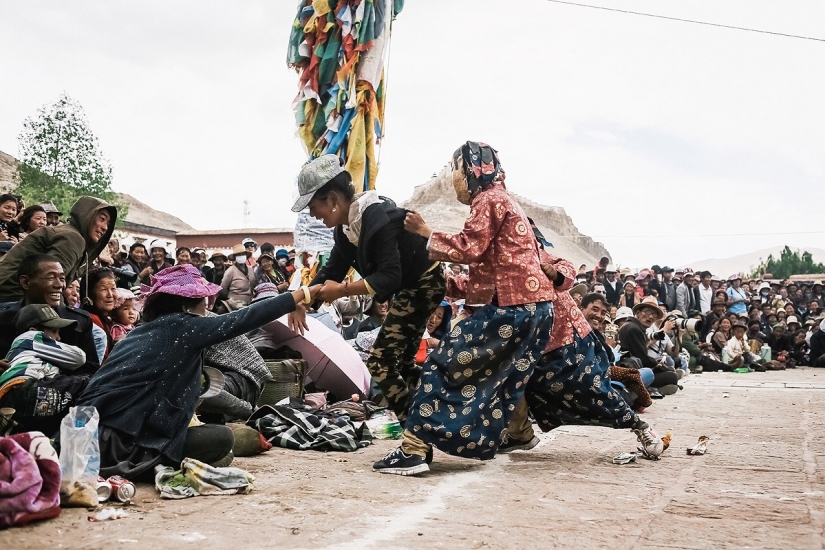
[147, 390]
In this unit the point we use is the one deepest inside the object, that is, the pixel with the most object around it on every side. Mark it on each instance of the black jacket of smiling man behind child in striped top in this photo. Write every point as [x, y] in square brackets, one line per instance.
[79, 336]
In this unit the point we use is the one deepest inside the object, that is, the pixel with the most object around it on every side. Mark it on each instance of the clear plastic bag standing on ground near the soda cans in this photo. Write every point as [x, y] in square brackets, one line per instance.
[79, 457]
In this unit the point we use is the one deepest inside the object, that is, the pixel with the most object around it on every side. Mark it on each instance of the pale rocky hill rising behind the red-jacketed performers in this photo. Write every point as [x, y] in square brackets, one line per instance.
[436, 202]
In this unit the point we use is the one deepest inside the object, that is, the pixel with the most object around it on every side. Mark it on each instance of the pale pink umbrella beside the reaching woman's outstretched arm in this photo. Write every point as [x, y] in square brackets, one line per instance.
[332, 364]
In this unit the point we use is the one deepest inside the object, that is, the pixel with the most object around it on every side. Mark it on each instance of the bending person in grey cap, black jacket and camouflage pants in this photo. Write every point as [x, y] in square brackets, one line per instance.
[394, 265]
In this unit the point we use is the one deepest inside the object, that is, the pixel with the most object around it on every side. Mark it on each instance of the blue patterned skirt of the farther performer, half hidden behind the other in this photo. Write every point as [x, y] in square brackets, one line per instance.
[571, 386]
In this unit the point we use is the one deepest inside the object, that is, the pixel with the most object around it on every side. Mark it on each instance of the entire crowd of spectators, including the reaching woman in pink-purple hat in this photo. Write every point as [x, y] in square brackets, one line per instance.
[70, 294]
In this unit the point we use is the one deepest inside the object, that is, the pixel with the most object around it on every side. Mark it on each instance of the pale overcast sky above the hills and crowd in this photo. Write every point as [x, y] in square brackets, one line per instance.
[648, 132]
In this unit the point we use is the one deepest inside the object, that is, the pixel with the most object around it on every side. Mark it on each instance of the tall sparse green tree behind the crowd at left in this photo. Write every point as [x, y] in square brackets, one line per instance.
[60, 158]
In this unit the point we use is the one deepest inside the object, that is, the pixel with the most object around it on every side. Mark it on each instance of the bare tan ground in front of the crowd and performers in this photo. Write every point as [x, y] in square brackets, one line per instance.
[760, 486]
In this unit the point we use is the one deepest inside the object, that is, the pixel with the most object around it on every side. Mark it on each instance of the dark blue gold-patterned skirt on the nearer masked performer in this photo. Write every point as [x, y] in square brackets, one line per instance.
[472, 382]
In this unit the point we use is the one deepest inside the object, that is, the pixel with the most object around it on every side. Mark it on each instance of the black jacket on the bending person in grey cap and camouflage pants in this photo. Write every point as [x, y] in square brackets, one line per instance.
[387, 257]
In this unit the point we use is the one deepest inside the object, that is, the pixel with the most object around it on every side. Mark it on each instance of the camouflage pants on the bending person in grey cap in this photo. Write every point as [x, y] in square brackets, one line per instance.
[392, 360]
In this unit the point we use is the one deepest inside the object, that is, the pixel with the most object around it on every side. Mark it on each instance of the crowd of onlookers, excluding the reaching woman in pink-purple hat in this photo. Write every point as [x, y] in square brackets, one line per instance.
[660, 322]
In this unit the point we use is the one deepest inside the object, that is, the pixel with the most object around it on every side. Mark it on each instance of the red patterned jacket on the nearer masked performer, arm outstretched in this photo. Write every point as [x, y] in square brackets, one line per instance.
[500, 248]
